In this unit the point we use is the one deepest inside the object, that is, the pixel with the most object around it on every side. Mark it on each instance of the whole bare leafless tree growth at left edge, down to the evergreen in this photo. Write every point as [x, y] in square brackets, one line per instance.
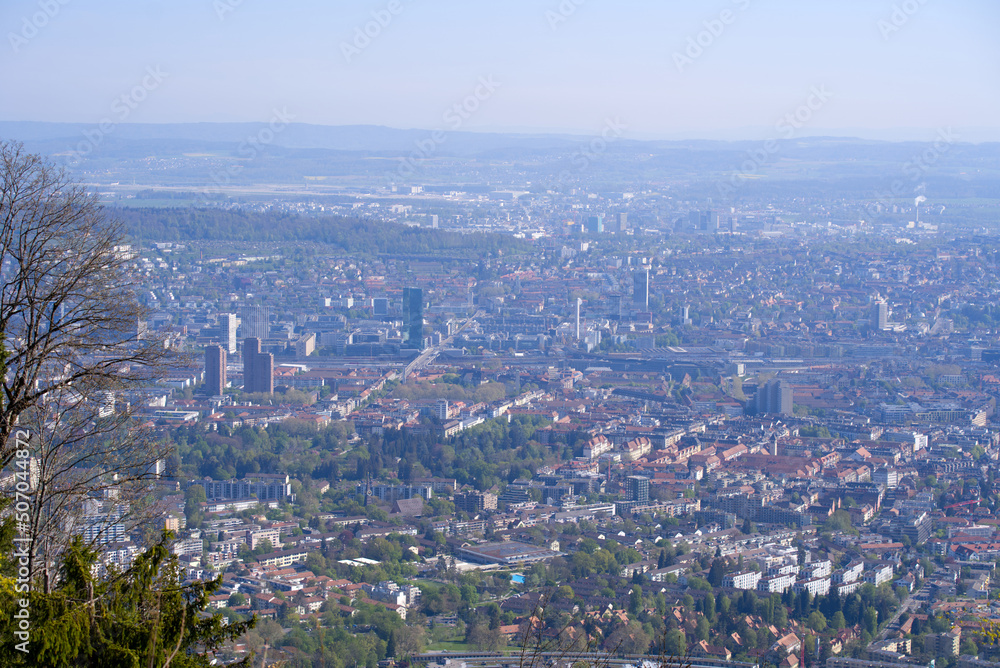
[74, 354]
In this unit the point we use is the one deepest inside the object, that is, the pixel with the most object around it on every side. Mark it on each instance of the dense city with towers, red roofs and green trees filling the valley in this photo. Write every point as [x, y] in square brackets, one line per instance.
[715, 439]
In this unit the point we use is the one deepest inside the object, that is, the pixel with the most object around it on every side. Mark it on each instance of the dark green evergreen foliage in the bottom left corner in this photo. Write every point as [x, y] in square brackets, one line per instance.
[143, 616]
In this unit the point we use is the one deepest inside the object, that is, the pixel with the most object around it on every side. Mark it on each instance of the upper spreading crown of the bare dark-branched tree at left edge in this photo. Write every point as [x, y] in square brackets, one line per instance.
[69, 316]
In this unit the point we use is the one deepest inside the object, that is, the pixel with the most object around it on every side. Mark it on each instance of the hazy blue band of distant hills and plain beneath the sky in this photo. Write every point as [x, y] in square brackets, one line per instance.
[200, 157]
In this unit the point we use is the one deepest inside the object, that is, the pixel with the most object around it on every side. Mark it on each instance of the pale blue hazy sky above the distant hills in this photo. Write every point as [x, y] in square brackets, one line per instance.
[878, 65]
